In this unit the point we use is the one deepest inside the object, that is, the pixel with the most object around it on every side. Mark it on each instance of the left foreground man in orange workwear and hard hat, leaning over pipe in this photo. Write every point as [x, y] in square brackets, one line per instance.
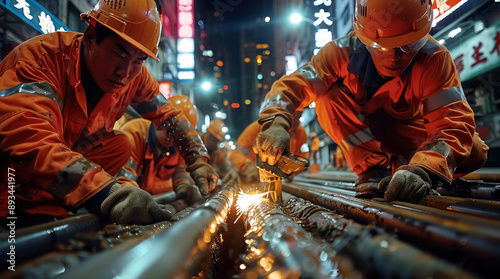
[60, 95]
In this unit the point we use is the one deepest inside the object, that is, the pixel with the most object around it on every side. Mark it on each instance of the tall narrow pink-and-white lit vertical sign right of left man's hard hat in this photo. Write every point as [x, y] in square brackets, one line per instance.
[185, 43]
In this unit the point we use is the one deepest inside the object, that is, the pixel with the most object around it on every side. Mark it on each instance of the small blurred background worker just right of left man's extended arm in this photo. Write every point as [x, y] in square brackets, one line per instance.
[218, 151]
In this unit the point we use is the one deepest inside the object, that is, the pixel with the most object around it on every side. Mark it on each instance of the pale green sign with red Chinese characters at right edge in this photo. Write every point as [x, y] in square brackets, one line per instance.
[479, 54]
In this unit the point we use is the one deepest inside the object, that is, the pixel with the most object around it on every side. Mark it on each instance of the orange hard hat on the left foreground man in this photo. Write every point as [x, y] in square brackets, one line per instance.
[137, 22]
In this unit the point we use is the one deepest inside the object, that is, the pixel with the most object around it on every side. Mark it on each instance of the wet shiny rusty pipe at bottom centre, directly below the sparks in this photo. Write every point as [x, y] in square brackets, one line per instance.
[279, 248]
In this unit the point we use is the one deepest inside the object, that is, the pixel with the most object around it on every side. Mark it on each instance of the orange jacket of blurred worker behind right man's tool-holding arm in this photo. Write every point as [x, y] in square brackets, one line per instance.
[243, 154]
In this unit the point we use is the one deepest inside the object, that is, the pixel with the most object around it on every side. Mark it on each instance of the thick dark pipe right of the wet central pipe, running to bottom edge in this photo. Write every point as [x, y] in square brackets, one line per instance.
[376, 252]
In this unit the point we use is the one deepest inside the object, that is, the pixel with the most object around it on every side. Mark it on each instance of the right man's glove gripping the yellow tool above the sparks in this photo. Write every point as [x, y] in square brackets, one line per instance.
[273, 140]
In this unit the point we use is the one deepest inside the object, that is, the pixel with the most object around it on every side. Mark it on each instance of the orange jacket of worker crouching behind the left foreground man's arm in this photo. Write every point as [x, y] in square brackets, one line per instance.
[153, 175]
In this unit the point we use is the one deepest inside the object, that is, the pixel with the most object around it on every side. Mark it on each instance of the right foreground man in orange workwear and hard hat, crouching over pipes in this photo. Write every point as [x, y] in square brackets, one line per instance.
[389, 95]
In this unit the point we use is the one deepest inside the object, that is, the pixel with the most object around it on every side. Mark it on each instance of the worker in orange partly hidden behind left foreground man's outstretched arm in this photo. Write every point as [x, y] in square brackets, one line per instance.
[155, 165]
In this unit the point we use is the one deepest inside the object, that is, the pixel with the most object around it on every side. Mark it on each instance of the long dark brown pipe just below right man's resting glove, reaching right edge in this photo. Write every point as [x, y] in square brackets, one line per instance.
[478, 244]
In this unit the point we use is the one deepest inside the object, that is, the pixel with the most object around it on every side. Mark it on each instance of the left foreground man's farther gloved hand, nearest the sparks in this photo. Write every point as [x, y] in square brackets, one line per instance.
[203, 175]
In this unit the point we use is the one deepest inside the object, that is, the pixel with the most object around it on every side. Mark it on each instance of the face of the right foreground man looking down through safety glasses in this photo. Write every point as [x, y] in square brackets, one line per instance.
[391, 62]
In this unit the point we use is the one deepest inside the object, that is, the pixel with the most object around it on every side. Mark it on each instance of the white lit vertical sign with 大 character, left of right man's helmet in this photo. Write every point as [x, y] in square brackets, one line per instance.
[323, 22]
